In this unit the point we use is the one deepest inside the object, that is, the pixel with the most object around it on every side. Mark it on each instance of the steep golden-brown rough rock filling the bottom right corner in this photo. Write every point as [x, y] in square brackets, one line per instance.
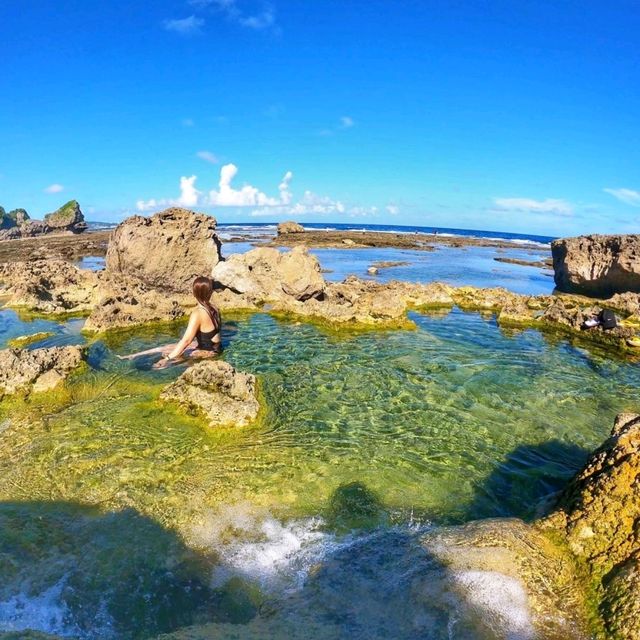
[599, 517]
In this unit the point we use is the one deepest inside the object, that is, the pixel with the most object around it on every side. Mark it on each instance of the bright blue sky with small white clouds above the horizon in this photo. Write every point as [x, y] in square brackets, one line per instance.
[506, 115]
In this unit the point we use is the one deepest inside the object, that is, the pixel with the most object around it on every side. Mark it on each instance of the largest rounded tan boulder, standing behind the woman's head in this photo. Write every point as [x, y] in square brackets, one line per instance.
[165, 251]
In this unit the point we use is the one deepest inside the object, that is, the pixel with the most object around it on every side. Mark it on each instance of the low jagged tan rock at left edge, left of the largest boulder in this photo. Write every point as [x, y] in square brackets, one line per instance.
[49, 286]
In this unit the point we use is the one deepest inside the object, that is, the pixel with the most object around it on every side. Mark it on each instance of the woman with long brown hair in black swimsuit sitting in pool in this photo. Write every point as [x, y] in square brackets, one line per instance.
[202, 335]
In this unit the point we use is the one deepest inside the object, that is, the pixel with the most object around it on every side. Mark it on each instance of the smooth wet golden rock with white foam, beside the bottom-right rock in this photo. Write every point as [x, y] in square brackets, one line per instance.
[507, 575]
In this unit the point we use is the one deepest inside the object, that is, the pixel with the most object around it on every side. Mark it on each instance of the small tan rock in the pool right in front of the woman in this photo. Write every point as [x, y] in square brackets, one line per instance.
[224, 396]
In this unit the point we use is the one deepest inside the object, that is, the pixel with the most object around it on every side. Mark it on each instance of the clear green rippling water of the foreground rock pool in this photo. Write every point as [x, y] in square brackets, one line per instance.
[313, 514]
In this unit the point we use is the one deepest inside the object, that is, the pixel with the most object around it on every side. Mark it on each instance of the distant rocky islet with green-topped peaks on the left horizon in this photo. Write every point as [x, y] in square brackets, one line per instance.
[18, 224]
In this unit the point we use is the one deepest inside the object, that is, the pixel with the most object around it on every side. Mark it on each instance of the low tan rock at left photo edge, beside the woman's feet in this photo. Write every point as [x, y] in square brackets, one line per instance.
[37, 370]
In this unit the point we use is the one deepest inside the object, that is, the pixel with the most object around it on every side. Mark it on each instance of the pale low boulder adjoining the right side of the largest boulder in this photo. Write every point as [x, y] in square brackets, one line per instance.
[267, 274]
